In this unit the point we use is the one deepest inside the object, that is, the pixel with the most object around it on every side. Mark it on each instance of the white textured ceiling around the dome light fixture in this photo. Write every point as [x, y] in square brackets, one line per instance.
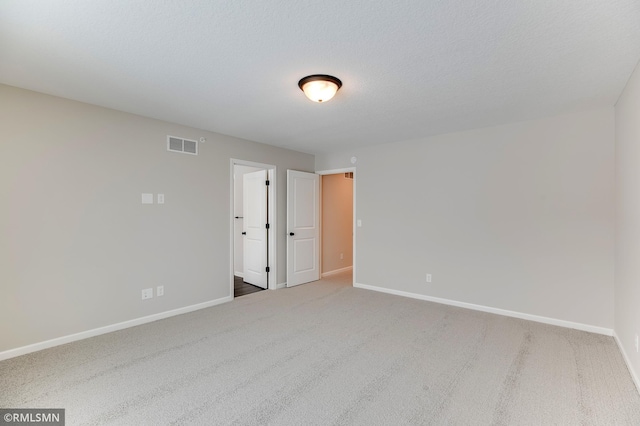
[409, 68]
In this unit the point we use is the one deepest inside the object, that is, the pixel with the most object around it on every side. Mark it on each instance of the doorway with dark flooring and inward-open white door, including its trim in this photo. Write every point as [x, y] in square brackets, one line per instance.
[253, 225]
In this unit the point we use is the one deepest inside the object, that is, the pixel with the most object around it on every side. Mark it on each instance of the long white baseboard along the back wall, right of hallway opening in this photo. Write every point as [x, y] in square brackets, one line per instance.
[536, 318]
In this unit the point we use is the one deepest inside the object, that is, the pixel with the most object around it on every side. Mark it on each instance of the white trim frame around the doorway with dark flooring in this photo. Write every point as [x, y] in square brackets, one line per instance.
[271, 173]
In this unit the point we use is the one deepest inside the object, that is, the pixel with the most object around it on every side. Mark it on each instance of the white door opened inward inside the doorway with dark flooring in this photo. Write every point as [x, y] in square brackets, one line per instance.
[254, 210]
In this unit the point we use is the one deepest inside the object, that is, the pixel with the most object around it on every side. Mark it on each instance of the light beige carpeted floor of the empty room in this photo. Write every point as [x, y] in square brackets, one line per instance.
[328, 354]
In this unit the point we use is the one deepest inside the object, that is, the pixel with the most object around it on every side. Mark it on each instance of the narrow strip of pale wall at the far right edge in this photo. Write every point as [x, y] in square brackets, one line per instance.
[627, 282]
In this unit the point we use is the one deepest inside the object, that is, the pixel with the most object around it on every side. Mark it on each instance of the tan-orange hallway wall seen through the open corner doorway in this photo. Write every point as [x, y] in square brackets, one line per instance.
[337, 222]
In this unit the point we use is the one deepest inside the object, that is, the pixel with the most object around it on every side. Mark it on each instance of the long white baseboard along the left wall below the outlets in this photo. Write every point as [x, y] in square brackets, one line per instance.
[11, 353]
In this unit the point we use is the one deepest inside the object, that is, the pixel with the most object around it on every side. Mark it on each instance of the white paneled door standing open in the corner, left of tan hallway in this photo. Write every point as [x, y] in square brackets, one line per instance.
[303, 227]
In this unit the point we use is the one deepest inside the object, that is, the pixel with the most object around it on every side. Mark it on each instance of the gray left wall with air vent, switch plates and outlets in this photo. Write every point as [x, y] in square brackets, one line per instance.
[76, 244]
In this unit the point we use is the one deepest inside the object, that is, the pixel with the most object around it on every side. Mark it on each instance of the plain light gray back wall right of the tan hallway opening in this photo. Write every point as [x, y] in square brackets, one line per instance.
[517, 217]
